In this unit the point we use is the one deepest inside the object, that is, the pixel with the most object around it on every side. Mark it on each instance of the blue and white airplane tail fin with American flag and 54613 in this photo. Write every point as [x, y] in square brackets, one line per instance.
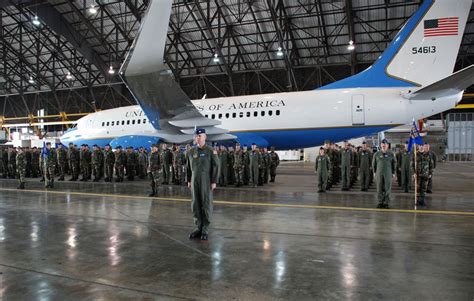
[423, 52]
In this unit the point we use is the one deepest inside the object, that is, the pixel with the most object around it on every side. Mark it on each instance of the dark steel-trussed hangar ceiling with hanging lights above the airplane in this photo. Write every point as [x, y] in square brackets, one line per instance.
[63, 62]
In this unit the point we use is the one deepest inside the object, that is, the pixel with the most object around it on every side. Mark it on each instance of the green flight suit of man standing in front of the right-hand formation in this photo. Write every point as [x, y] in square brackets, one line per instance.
[384, 166]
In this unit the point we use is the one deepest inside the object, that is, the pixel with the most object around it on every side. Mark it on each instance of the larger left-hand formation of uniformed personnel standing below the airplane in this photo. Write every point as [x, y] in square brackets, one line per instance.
[239, 166]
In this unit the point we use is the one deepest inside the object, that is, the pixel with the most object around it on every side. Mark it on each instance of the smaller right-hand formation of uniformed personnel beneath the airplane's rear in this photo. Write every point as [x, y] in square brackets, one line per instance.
[351, 164]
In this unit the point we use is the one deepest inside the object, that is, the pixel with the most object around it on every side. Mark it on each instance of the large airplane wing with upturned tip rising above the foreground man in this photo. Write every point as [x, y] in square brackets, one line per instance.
[153, 85]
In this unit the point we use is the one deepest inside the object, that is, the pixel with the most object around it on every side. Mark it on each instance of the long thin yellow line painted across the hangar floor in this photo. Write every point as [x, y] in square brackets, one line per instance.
[252, 204]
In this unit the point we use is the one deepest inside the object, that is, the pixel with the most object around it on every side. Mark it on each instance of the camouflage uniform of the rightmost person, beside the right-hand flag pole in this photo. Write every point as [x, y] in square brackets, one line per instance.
[423, 171]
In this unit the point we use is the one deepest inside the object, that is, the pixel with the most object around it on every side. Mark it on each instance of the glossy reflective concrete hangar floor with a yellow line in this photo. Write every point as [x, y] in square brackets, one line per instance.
[282, 241]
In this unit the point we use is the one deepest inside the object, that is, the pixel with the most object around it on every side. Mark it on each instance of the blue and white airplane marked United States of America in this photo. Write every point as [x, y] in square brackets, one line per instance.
[412, 79]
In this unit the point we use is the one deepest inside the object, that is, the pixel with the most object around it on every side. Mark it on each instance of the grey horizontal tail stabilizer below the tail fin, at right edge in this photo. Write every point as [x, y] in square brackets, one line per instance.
[453, 84]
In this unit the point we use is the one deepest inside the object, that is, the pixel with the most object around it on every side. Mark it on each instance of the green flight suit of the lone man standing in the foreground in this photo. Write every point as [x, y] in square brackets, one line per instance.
[202, 171]
